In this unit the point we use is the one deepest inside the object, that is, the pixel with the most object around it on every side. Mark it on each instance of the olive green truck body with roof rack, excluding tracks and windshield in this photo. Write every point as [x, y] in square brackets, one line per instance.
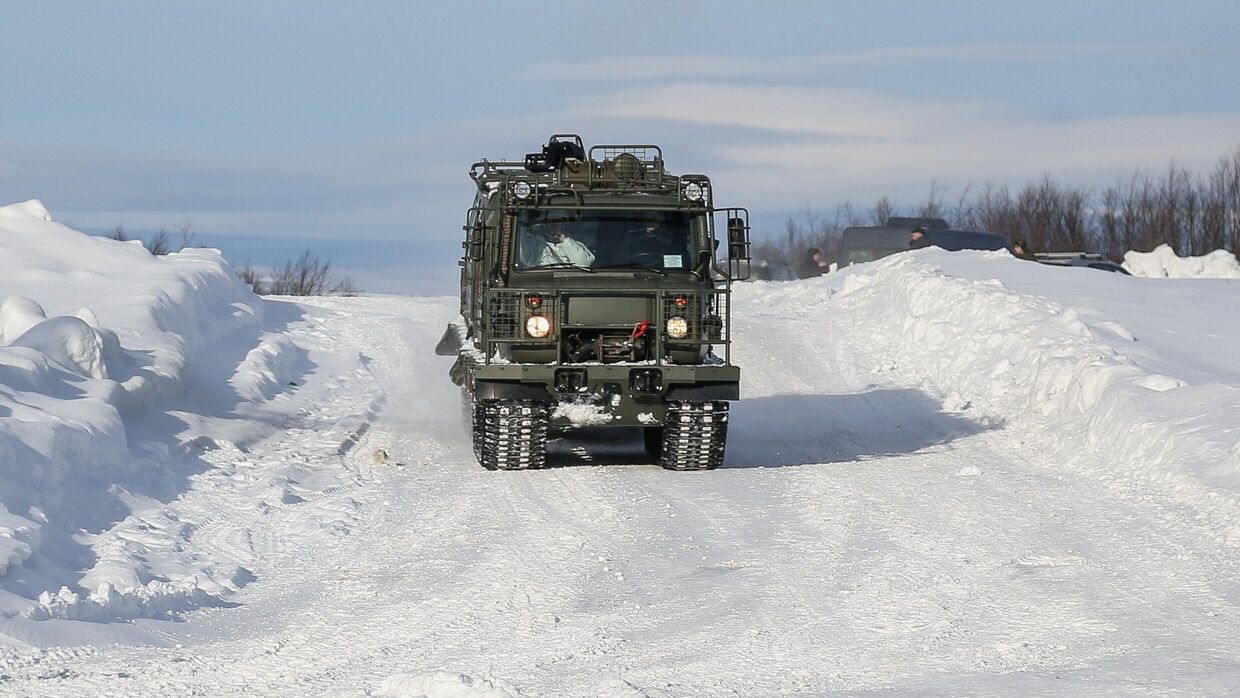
[634, 366]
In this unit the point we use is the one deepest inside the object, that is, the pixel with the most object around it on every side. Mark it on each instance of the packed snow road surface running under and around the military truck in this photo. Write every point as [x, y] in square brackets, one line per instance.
[866, 535]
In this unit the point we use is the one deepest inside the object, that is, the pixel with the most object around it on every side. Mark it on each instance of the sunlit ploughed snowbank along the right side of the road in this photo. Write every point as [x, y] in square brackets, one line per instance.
[1130, 380]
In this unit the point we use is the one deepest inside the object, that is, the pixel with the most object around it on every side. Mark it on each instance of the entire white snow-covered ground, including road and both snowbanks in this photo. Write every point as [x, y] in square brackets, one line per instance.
[950, 473]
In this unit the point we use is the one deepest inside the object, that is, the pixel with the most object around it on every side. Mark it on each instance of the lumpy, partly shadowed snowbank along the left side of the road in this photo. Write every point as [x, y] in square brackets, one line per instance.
[96, 337]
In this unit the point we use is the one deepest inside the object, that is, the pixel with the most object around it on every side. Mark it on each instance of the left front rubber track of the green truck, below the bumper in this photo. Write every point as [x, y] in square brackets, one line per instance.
[510, 435]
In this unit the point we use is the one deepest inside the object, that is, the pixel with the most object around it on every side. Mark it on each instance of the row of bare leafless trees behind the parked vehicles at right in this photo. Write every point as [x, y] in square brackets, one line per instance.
[1195, 214]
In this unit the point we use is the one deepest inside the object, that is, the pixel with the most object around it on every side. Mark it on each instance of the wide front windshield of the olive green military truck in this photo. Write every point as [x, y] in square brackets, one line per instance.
[602, 240]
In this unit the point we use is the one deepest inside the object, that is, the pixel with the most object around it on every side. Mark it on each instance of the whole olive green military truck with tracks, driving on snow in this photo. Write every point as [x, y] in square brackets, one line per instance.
[595, 294]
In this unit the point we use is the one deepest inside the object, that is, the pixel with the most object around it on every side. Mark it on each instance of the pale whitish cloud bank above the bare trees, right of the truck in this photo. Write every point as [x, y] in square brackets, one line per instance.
[787, 146]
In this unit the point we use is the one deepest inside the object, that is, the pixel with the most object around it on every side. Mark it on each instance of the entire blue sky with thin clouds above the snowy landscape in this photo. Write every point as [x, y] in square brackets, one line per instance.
[349, 128]
